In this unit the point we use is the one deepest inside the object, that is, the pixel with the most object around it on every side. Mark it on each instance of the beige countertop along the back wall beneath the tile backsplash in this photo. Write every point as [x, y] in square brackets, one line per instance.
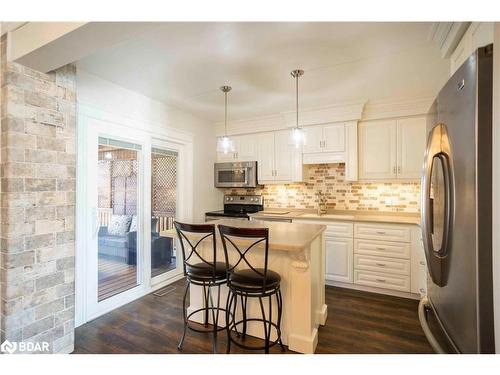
[337, 215]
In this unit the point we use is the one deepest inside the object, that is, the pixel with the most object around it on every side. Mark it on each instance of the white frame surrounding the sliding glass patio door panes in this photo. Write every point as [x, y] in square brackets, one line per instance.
[145, 135]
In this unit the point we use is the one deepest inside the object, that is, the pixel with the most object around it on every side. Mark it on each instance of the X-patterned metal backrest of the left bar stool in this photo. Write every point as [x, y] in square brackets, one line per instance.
[191, 254]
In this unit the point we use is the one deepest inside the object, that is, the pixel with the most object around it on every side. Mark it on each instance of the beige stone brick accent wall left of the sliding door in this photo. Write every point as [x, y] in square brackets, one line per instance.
[38, 140]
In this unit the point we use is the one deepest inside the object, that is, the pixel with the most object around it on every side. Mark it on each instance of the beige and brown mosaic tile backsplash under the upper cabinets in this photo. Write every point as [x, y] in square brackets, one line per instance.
[339, 194]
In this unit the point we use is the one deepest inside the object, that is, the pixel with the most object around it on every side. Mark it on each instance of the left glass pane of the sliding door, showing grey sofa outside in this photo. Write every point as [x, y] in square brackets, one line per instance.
[118, 248]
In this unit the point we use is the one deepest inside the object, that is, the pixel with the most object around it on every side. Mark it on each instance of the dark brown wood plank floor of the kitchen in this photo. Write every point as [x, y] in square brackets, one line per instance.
[358, 322]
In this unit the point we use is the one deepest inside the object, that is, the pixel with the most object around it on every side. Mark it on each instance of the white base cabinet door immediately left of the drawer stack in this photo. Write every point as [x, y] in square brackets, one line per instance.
[339, 259]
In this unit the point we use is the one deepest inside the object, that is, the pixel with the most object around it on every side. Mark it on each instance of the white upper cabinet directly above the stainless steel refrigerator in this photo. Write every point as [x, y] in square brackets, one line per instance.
[479, 34]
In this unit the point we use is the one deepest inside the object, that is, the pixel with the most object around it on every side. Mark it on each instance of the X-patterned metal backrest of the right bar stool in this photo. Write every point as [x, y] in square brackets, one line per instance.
[231, 235]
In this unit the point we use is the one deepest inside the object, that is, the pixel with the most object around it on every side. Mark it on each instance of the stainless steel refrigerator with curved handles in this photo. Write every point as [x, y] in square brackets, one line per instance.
[457, 313]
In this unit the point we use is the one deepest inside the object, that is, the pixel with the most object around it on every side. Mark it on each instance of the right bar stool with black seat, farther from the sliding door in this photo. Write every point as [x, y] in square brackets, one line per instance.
[256, 281]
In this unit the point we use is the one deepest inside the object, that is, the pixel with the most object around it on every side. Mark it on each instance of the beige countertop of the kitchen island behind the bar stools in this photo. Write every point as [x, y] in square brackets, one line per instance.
[282, 236]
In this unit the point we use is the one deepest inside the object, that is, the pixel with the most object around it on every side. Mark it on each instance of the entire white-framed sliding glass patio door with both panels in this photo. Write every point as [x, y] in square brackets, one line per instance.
[130, 196]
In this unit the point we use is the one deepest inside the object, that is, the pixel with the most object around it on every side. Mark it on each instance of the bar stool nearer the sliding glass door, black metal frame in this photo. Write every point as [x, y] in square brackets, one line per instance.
[201, 271]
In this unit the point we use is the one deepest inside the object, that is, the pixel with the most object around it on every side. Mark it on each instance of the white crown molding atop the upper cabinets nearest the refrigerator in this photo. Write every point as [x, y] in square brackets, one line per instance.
[380, 109]
